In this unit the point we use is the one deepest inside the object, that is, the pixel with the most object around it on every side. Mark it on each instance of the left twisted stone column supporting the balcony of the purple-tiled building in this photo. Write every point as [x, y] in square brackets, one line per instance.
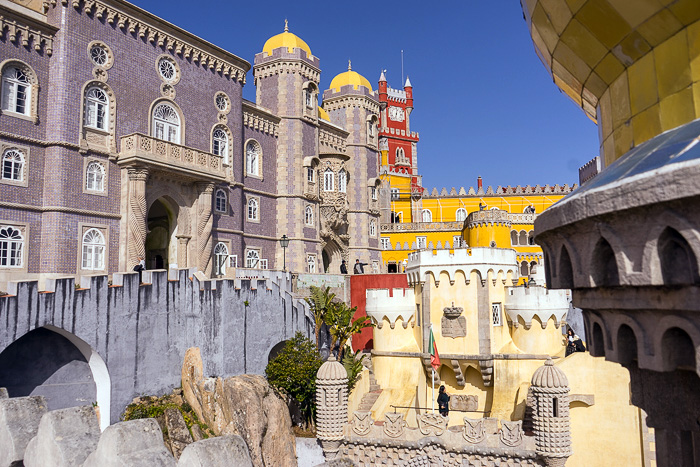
[136, 246]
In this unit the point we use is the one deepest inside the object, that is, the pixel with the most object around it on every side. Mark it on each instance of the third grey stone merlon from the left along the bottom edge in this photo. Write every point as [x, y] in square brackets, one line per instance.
[137, 443]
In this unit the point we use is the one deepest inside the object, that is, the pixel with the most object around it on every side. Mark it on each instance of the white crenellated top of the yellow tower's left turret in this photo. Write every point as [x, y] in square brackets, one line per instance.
[390, 305]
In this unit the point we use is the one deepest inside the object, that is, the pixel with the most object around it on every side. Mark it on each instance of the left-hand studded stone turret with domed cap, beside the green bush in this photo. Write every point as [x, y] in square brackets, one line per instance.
[331, 406]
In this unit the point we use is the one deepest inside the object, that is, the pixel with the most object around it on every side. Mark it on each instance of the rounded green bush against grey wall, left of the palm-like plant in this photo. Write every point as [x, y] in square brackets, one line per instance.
[293, 372]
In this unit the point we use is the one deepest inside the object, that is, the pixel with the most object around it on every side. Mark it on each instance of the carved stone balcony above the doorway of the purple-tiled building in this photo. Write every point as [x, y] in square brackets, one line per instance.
[140, 149]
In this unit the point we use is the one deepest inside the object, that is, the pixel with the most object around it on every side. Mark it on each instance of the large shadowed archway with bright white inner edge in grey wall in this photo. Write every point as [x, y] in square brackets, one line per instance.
[56, 364]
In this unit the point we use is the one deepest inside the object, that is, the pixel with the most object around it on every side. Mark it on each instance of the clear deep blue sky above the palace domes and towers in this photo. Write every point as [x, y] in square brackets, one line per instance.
[484, 103]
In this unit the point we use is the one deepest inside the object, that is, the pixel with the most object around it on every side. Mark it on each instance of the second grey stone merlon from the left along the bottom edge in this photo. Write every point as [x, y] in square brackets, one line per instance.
[65, 438]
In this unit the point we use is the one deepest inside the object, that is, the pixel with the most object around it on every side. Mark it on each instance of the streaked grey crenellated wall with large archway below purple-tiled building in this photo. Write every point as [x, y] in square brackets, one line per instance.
[133, 338]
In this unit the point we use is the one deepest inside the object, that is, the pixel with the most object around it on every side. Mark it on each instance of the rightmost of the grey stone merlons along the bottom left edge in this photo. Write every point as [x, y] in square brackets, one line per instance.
[223, 451]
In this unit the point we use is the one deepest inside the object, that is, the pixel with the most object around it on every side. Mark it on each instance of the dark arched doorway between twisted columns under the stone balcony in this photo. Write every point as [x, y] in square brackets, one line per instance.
[161, 251]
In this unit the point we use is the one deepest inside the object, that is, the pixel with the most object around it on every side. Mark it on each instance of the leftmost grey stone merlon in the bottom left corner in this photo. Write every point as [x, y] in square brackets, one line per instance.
[19, 422]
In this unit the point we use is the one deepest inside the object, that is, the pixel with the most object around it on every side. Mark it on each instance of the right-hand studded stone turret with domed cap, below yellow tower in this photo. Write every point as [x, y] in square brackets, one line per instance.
[550, 397]
